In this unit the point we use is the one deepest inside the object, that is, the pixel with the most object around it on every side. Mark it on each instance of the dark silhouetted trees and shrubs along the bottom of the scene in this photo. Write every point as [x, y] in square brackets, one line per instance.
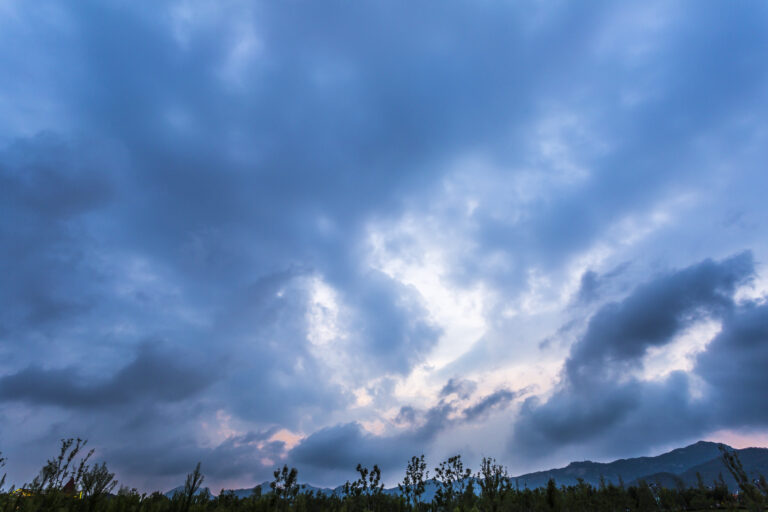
[68, 482]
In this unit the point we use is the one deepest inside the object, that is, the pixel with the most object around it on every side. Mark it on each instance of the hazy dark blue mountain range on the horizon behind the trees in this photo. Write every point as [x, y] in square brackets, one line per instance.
[666, 469]
